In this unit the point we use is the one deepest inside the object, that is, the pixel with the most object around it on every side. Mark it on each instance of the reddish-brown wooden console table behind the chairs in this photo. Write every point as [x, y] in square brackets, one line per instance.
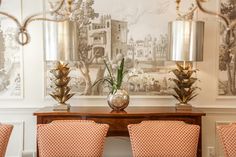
[118, 121]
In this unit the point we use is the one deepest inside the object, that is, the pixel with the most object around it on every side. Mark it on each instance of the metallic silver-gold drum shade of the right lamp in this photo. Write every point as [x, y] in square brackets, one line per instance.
[185, 41]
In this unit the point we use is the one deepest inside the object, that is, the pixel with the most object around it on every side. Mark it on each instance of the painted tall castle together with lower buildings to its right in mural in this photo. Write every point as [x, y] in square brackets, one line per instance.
[109, 37]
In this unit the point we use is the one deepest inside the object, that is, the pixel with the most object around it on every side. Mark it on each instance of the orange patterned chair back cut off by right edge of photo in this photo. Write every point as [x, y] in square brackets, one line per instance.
[227, 134]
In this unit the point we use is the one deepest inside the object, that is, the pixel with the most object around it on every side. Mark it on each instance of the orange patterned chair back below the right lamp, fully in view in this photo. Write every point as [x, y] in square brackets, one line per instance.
[164, 139]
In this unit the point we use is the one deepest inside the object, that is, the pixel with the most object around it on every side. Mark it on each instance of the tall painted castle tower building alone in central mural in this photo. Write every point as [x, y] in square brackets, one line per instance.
[108, 36]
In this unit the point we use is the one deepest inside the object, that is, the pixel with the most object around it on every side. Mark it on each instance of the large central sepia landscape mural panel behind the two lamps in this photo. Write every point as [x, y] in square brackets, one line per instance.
[133, 29]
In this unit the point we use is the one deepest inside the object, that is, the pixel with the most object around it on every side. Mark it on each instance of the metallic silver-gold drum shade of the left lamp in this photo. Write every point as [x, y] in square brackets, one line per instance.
[61, 41]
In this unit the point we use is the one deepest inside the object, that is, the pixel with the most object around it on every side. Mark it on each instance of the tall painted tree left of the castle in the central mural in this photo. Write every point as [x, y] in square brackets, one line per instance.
[83, 17]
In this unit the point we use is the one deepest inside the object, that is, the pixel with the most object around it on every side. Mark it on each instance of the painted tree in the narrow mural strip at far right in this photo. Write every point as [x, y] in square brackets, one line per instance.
[227, 59]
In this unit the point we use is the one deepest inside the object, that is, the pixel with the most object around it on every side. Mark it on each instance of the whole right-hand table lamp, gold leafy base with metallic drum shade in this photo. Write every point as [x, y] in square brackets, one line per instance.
[185, 39]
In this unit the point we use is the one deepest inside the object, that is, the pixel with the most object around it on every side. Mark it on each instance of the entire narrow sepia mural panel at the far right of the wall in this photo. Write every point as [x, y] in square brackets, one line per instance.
[227, 56]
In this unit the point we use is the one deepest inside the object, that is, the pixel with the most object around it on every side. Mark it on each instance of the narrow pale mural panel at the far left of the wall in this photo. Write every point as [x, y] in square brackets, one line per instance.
[11, 56]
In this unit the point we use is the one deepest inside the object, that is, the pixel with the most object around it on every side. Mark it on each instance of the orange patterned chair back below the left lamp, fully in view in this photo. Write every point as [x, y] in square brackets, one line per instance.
[71, 139]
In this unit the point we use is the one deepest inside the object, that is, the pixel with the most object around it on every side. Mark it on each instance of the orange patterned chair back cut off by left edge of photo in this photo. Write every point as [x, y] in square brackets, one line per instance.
[5, 133]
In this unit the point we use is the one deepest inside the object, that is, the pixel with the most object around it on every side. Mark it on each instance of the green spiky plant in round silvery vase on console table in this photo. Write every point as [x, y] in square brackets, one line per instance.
[118, 98]
